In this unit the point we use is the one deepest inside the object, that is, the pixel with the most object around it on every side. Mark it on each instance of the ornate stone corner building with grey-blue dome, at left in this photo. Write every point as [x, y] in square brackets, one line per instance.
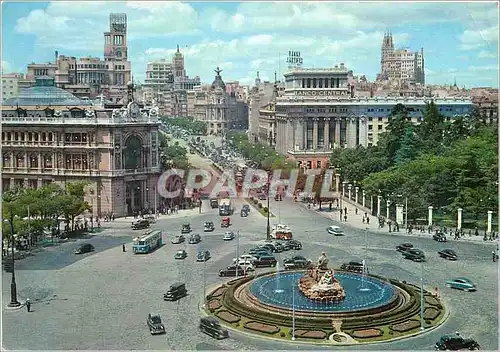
[49, 135]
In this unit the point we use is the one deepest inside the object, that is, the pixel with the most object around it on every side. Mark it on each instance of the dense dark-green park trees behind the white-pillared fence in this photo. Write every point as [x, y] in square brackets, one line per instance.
[446, 164]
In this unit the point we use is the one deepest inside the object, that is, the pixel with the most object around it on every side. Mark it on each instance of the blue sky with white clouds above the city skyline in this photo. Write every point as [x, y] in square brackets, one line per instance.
[460, 40]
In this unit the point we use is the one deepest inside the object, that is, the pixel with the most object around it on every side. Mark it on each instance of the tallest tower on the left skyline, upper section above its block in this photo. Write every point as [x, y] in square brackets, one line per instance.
[115, 41]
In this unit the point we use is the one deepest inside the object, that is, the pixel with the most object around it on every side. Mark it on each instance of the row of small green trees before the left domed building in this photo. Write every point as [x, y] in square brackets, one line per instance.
[35, 211]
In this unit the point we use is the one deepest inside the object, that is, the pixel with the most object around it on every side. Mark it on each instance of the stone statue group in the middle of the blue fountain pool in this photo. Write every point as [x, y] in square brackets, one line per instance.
[320, 284]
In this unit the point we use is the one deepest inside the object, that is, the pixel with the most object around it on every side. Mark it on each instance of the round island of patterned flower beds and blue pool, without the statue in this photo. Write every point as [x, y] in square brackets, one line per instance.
[252, 305]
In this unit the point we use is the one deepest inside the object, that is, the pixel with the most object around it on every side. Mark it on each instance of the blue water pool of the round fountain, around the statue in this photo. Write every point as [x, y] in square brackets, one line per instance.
[361, 293]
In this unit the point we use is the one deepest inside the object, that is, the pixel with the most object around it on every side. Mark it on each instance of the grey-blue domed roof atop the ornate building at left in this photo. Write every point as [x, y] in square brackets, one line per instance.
[44, 94]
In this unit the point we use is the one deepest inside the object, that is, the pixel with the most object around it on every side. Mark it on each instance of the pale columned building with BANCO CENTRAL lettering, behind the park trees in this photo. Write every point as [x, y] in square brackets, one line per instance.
[319, 112]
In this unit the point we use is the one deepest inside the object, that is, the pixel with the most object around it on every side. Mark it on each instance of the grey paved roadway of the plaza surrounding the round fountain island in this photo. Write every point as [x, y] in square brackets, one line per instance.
[101, 300]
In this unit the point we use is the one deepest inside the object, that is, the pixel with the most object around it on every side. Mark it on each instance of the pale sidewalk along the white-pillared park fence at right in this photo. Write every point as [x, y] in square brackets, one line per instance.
[356, 221]
